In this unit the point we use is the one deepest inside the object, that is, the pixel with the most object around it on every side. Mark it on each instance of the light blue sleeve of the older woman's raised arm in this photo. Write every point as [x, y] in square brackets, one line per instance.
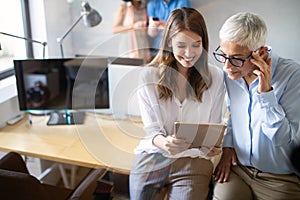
[281, 116]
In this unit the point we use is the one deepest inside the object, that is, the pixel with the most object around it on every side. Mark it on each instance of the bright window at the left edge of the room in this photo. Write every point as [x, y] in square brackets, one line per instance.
[11, 22]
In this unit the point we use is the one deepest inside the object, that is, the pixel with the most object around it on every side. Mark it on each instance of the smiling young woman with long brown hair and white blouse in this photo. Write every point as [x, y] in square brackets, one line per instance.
[179, 85]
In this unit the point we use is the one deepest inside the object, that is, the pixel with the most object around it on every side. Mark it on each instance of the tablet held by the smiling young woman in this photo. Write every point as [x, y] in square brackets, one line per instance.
[200, 135]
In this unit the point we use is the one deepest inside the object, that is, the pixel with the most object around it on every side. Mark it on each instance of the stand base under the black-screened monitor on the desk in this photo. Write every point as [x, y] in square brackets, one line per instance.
[66, 118]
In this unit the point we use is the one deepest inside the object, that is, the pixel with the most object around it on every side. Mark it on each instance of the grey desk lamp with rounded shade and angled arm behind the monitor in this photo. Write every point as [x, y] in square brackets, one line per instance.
[90, 17]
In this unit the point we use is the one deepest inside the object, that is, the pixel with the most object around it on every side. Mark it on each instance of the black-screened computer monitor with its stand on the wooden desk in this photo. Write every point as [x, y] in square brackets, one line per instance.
[63, 87]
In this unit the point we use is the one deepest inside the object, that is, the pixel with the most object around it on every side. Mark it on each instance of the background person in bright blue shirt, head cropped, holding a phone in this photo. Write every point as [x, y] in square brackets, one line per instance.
[158, 12]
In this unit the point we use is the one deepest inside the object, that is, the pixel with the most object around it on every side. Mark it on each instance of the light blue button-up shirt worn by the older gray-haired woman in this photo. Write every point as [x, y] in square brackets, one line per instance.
[264, 128]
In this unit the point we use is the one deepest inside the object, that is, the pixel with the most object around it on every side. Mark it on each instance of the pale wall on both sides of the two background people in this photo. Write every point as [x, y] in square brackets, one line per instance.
[281, 16]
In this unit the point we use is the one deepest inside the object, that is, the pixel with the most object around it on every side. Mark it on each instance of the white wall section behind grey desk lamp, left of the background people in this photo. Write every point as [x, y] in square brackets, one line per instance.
[61, 14]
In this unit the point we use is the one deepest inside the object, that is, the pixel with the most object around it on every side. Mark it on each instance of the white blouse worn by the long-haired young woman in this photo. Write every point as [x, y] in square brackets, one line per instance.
[159, 115]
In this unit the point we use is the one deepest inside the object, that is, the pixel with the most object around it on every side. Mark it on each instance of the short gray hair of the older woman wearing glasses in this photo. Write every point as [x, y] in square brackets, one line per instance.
[245, 29]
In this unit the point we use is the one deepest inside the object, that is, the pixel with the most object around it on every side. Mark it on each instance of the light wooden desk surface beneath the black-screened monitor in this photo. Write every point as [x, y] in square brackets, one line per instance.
[100, 142]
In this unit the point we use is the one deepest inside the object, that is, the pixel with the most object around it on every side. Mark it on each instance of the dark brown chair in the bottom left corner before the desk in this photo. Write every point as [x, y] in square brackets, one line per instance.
[17, 183]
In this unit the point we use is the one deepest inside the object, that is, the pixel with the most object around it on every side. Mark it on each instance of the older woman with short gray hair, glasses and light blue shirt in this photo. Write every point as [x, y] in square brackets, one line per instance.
[264, 124]
